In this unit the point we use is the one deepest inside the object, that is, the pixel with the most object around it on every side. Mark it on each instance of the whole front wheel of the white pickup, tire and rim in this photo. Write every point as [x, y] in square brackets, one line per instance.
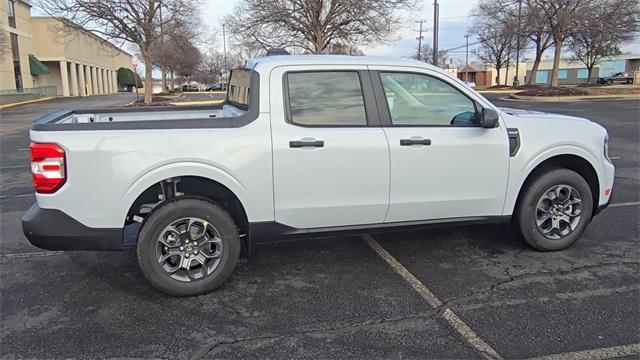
[555, 210]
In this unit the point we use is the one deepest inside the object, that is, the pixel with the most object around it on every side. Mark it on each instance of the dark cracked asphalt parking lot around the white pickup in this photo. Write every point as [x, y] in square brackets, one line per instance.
[468, 292]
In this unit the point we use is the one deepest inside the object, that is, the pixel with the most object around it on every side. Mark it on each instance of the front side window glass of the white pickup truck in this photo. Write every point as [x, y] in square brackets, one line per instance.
[416, 99]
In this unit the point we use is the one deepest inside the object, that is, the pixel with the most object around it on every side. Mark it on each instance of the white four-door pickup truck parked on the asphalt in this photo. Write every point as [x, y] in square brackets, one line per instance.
[308, 145]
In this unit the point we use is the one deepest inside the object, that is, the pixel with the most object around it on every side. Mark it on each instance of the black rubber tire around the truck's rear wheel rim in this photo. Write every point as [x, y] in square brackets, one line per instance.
[156, 224]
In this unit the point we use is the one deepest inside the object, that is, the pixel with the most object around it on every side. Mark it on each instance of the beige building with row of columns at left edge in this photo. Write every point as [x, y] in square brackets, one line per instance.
[54, 56]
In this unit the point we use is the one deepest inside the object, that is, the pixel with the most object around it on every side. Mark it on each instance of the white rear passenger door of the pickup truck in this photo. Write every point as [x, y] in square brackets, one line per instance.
[330, 156]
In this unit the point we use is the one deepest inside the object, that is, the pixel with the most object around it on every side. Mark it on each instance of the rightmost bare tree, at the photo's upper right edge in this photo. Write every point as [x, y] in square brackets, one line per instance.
[610, 23]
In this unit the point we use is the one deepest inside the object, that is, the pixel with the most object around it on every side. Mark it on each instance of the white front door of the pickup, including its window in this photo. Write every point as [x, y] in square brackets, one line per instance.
[443, 163]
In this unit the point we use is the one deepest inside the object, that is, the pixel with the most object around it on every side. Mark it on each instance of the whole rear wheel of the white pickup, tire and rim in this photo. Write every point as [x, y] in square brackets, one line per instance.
[188, 247]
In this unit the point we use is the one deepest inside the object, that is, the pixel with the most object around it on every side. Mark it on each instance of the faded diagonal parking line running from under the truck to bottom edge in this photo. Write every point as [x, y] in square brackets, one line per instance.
[452, 319]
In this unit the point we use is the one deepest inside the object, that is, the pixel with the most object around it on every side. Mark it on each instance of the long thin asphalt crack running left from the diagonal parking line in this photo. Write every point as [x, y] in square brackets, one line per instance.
[202, 353]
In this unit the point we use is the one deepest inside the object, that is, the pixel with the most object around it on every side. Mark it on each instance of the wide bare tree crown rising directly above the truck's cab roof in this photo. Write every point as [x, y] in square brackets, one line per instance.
[314, 25]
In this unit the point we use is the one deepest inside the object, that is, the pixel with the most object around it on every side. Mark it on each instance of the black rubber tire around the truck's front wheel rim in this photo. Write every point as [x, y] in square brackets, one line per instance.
[525, 214]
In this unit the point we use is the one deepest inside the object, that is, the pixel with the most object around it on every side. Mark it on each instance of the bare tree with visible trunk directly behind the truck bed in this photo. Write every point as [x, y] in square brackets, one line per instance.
[134, 21]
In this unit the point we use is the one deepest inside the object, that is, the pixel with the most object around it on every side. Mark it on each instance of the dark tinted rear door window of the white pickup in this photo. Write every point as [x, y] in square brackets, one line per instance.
[326, 98]
